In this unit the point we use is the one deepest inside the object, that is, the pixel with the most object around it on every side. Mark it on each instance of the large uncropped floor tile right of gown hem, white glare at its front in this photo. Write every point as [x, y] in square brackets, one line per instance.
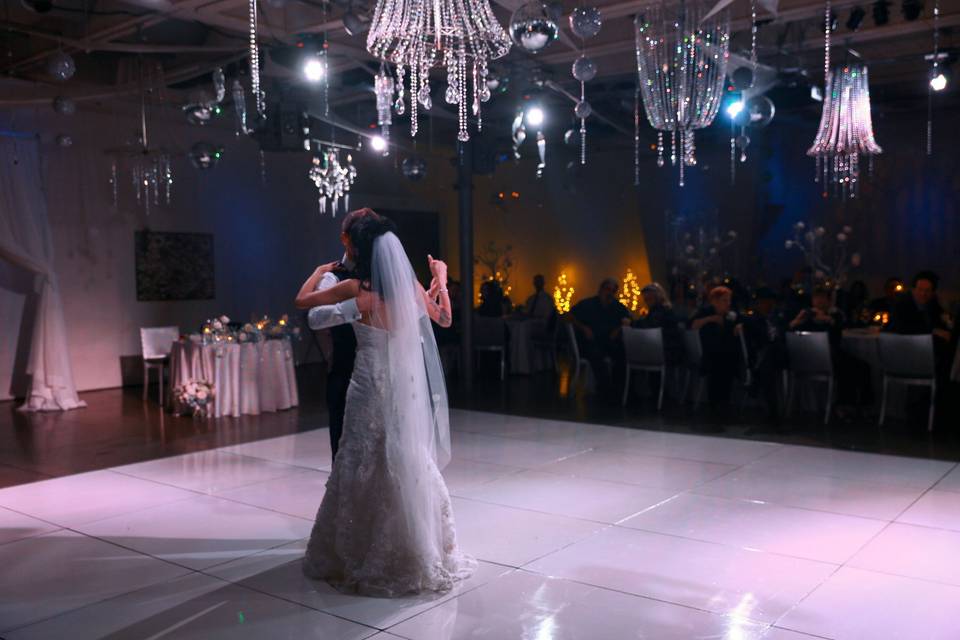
[703, 575]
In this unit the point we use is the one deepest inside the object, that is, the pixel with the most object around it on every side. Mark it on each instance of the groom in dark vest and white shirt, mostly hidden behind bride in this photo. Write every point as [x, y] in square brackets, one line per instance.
[337, 318]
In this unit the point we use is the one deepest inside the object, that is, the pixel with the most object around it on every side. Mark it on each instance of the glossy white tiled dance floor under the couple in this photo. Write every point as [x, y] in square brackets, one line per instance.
[583, 532]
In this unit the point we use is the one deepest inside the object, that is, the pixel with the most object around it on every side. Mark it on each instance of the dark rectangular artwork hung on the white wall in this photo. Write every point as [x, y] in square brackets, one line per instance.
[174, 266]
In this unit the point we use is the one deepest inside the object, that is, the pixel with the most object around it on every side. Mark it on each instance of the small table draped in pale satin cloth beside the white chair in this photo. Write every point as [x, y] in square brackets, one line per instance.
[248, 378]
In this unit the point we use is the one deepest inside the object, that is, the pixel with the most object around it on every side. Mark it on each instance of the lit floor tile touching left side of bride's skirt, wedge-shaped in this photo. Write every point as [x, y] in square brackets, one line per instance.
[299, 494]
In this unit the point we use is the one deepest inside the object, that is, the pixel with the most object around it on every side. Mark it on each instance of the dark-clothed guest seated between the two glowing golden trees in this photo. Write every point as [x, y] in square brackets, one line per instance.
[598, 321]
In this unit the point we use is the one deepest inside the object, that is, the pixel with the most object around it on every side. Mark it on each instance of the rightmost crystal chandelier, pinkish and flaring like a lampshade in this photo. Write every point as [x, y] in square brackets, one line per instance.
[846, 131]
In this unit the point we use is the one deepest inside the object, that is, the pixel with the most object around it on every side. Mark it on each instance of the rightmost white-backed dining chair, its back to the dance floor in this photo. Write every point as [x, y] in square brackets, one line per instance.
[907, 360]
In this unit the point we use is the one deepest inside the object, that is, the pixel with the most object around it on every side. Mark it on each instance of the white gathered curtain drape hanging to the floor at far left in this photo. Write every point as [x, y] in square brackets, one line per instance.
[25, 241]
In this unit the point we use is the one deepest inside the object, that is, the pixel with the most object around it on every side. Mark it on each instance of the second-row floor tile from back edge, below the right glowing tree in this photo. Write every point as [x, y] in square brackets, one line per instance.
[646, 471]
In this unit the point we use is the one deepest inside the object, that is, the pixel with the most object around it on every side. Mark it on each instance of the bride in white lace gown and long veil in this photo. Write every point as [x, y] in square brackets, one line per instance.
[385, 526]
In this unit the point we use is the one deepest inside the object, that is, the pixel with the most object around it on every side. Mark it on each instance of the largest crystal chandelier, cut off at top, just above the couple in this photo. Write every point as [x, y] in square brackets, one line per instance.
[461, 35]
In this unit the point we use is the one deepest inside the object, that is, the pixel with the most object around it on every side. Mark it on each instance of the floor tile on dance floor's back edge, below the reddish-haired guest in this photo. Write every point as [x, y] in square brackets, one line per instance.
[698, 448]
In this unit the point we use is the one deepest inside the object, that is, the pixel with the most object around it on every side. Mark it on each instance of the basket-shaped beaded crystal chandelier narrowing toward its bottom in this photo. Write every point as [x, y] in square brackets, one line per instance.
[681, 65]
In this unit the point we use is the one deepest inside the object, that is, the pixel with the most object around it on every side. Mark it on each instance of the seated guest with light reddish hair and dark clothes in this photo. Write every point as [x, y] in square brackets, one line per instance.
[719, 329]
